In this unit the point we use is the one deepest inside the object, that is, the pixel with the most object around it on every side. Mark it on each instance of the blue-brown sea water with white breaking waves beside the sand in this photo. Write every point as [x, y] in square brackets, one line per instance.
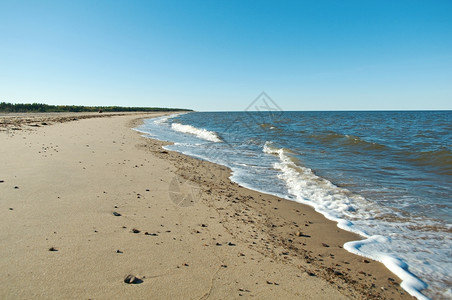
[384, 175]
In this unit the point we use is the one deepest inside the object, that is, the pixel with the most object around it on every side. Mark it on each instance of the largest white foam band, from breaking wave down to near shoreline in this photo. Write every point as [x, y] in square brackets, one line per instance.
[335, 204]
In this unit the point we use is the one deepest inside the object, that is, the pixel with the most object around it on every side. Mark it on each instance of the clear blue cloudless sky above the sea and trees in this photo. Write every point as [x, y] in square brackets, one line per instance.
[220, 55]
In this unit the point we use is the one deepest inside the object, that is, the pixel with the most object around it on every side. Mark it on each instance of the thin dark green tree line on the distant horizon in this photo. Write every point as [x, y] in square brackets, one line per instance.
[39, 107]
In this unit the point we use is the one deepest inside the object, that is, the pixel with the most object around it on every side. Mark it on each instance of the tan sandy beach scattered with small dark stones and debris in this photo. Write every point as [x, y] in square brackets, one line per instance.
[109, 203]
